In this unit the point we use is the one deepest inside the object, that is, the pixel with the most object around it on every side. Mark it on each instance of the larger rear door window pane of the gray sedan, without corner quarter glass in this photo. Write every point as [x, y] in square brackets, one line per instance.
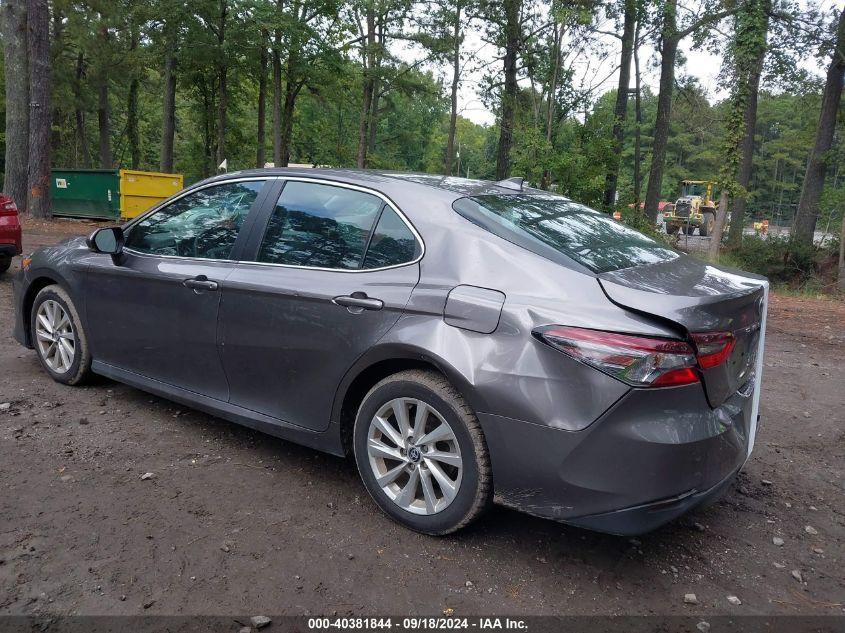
[319, 226]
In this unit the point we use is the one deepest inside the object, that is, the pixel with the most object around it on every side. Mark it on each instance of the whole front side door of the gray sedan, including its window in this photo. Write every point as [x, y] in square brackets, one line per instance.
[153, 310]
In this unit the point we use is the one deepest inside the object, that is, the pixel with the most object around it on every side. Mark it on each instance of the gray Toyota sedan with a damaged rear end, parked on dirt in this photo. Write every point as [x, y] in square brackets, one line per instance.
[465, 340]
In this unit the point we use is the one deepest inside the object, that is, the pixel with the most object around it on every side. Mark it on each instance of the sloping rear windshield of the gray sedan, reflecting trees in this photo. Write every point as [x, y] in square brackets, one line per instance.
[552, 226]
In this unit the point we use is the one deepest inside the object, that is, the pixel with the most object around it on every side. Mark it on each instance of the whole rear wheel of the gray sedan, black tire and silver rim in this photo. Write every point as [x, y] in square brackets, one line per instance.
[421, 453]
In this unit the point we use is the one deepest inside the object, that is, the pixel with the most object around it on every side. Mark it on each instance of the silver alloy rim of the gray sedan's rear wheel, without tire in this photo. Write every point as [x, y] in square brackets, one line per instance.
[414, 456]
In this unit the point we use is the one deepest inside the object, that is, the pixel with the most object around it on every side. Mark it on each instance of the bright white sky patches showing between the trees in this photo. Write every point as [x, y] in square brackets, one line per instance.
[590, 69]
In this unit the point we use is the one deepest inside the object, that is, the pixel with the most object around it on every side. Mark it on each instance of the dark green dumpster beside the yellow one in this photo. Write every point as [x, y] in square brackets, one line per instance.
[86, 193]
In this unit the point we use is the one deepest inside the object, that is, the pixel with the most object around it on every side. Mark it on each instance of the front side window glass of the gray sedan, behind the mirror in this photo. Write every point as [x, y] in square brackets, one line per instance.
[201, 224]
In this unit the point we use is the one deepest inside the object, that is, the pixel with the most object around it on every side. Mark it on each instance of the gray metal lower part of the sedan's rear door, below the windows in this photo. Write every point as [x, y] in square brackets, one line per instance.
[286, 345]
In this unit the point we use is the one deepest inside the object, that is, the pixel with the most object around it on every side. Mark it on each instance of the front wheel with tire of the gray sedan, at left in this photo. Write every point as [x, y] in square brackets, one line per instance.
[58, 337]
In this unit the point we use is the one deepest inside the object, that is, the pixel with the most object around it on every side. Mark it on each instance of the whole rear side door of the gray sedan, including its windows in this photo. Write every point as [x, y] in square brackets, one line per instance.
[334, 266]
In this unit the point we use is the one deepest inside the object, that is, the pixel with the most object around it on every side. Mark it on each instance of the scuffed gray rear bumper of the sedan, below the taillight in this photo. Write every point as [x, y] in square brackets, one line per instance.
[655, 454]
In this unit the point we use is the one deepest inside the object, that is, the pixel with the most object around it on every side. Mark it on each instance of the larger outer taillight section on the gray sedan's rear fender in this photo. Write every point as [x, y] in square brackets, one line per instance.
[641, 361]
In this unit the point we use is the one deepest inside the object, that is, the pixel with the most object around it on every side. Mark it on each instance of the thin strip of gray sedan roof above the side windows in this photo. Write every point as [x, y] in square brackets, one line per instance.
[374, 177]
